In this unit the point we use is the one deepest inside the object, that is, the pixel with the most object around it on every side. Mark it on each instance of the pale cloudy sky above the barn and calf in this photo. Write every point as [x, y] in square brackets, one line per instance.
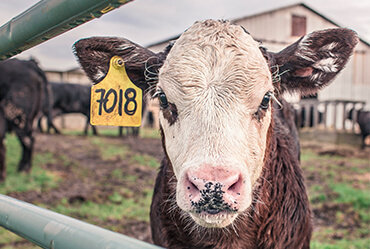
[149, 21]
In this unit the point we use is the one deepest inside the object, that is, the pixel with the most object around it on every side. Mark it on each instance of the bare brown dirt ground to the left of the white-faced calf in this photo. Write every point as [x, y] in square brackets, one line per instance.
[94, 185]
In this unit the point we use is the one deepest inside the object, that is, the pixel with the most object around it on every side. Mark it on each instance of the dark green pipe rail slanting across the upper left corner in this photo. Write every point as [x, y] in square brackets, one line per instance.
[47, 19]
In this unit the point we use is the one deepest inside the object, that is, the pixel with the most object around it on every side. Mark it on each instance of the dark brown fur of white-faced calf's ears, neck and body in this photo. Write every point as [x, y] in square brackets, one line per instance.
[279, 216]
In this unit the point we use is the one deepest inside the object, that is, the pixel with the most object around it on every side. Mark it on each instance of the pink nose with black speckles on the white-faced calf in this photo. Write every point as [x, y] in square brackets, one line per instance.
[214, 189]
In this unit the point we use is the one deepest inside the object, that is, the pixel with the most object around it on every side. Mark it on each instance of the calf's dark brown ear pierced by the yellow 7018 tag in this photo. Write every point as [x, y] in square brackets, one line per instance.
[141, 64]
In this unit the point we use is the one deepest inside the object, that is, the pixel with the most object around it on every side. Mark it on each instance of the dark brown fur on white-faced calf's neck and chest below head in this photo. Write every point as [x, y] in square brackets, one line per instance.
[280, 219]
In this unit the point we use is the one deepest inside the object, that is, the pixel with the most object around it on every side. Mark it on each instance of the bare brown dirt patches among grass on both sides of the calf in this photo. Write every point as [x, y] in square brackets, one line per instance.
[95, 186]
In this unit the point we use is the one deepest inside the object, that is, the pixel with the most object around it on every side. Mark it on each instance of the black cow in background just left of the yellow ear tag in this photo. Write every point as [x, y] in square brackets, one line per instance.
[69, 98]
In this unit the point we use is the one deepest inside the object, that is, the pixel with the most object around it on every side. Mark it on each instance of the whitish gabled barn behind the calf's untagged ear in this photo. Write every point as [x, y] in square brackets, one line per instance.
[277, 28]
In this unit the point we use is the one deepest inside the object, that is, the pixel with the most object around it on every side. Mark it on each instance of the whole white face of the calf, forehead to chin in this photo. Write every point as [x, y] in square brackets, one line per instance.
[215, 129]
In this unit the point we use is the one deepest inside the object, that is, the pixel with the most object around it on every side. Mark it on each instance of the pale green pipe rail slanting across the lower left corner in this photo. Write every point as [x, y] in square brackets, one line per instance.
[48, 229]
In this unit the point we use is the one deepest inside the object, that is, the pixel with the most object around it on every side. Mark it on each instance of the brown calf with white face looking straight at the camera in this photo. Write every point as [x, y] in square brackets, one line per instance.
[231, 176]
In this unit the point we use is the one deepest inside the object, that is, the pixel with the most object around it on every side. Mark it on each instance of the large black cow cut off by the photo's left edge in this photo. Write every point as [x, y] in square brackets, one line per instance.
[22, 84]
